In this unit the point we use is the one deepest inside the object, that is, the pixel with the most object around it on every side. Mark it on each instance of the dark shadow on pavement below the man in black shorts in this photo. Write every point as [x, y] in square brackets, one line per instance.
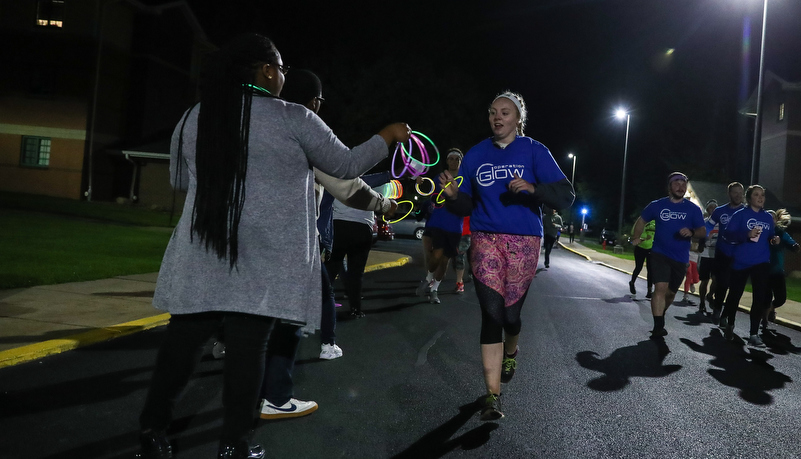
[641, 360]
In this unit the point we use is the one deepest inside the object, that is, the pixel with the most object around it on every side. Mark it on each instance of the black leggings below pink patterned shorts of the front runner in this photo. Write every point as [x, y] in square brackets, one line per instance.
[495, 316]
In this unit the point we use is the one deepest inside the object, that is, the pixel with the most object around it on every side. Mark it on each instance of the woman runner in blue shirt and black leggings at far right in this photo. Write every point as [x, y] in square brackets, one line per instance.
[752, 232]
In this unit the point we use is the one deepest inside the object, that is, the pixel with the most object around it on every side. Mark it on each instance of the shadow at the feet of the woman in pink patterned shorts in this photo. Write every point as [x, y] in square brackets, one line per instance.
[438, 442]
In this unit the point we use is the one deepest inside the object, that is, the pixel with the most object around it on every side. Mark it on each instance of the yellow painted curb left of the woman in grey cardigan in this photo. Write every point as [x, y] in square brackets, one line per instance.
[54, 346]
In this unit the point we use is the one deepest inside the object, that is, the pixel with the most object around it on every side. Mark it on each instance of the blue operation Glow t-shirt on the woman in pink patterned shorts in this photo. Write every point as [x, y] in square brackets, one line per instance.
[487, 171]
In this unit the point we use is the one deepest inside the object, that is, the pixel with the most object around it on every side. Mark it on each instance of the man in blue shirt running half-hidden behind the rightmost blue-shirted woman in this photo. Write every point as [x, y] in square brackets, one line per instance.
[721, 269]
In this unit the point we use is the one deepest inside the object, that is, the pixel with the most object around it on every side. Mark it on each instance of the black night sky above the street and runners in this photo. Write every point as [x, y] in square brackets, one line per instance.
[438, 64]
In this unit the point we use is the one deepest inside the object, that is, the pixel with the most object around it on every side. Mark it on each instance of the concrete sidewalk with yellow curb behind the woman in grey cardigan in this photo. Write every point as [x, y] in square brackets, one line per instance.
[39, 321]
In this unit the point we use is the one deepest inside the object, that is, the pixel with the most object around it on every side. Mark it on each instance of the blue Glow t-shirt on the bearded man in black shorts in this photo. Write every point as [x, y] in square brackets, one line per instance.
[670, 218]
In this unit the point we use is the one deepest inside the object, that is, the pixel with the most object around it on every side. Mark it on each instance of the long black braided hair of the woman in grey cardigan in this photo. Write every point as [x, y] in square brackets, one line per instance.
[223, 131]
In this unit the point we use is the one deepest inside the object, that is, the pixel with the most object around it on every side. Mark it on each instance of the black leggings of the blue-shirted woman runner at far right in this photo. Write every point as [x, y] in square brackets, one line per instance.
[760, 291]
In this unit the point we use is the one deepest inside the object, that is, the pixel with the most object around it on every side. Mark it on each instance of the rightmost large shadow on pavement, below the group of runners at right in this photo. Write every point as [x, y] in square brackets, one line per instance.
[742, 368]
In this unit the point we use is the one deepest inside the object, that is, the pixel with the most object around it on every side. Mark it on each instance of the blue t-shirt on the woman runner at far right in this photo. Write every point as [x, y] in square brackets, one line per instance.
[748, 253]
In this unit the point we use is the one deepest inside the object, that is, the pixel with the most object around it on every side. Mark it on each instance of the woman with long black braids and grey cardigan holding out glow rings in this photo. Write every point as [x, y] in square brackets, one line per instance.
[244, 253]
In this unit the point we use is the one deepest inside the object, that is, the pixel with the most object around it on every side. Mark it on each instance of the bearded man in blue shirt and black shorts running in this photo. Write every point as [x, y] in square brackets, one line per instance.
[677, 222]
